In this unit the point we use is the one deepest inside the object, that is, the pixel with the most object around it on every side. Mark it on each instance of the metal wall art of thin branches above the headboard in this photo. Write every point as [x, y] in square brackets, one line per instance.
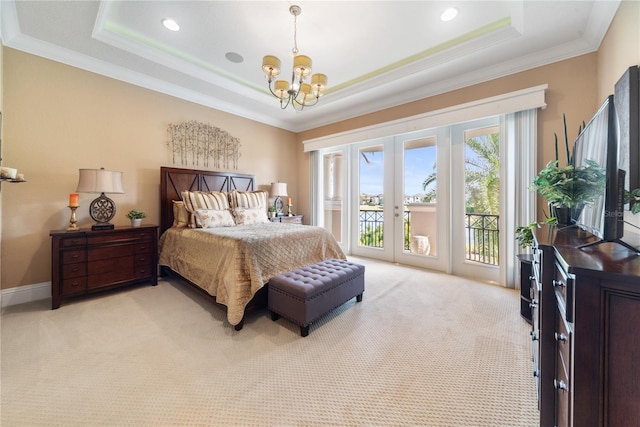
[194, 143]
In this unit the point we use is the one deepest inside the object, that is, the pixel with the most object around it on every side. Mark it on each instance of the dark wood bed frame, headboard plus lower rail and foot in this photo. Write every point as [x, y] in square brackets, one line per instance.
[175, 180]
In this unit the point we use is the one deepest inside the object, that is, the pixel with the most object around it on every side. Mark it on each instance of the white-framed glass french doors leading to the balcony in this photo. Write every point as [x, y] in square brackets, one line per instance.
[420, 199]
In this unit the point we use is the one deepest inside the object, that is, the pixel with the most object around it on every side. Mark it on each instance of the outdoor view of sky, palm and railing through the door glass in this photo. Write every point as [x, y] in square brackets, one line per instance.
[481, 199]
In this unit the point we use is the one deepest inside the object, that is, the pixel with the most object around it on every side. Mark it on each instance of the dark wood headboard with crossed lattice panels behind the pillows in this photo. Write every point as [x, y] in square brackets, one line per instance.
[175, 180]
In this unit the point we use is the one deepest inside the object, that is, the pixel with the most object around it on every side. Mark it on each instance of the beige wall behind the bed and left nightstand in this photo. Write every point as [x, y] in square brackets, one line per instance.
[59, 119]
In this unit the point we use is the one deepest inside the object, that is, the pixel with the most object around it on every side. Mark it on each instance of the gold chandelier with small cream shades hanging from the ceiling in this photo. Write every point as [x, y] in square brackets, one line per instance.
[296, 93]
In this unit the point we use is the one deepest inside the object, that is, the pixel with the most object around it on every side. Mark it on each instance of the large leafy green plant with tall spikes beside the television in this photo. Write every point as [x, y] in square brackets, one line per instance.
[567, 188]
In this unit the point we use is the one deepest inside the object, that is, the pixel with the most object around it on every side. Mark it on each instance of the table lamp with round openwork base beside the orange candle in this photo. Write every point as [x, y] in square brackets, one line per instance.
[102, 209]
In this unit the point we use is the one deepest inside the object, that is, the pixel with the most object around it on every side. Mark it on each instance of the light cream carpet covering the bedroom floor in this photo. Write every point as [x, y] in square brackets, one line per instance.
[422, 348]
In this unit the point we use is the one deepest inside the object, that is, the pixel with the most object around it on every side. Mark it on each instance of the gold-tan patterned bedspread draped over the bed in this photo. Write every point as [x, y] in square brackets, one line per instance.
[233, 263]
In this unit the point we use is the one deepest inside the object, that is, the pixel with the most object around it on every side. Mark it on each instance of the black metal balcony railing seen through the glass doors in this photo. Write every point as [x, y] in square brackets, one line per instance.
[481, 234]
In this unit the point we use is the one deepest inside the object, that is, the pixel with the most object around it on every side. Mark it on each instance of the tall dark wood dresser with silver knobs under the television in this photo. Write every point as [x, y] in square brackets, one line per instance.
[588, 324]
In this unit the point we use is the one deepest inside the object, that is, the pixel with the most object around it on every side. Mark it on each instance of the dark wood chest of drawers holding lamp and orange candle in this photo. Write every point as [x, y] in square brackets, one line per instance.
[86, 261]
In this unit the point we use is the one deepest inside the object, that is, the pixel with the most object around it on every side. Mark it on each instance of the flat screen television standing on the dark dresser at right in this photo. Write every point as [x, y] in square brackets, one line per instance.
[598, 142]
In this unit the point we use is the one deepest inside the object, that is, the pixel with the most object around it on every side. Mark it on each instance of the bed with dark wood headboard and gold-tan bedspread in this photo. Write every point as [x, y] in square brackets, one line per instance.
[232, 263]
